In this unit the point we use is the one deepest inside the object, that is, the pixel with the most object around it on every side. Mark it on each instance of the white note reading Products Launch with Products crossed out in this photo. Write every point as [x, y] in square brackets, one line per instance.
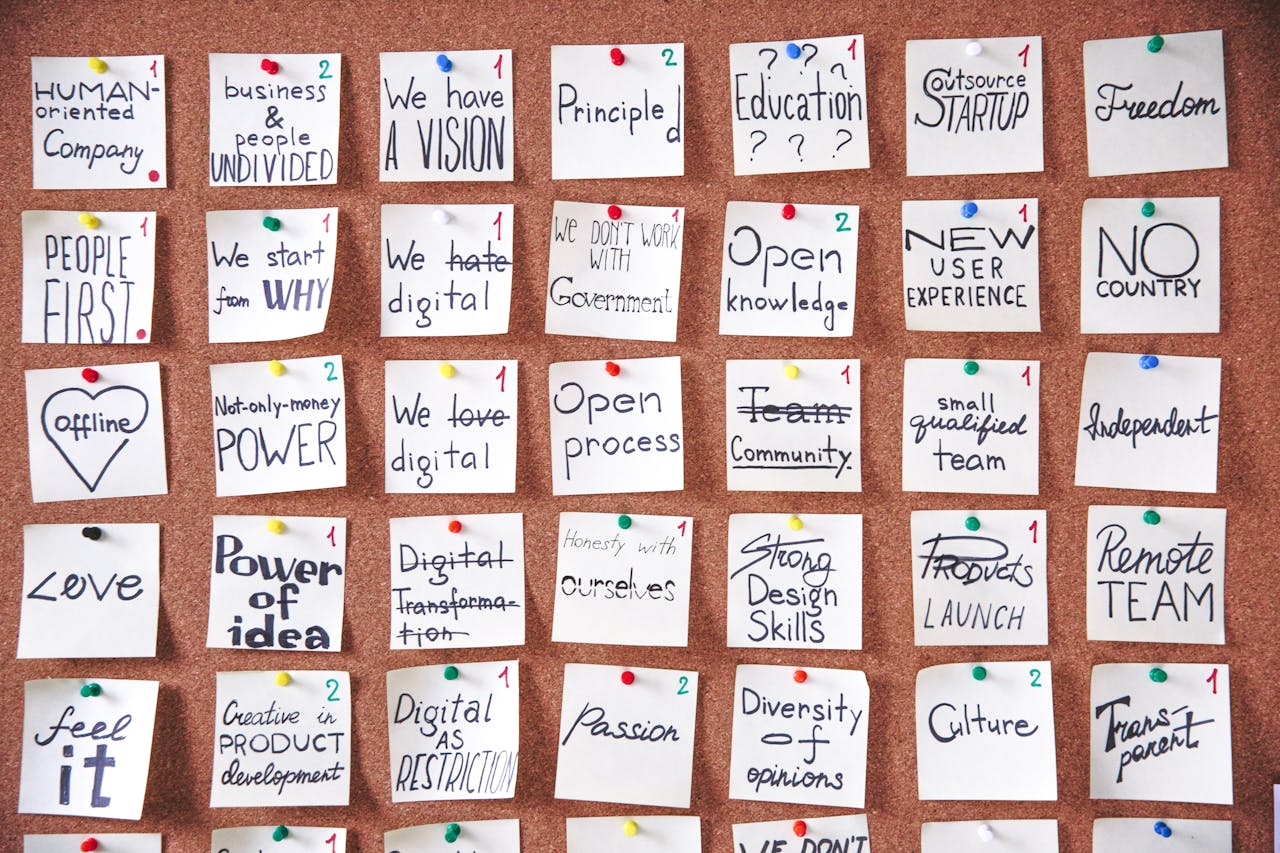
[984, 585]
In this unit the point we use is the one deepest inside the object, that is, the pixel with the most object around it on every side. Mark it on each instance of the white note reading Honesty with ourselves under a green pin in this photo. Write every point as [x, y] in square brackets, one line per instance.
[623, 580]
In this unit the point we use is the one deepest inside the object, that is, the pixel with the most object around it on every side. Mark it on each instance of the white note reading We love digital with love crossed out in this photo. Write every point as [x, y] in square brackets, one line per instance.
[451, 427]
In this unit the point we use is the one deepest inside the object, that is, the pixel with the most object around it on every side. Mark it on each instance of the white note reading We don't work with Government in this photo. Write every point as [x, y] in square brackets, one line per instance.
[615, 279]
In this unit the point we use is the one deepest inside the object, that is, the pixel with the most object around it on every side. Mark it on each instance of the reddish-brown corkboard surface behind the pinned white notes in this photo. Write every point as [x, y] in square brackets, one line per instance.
[179, 795]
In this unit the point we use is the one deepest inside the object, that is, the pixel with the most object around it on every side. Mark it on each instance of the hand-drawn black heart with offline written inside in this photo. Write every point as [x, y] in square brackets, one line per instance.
[90, 434]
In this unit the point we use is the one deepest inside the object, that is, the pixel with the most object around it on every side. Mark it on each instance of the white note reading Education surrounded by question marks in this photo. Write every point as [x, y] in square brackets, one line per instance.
[799, 106]
